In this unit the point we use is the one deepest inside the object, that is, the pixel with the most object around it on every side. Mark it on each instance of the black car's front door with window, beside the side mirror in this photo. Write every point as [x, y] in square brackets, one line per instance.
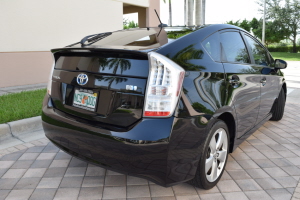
[269, 80]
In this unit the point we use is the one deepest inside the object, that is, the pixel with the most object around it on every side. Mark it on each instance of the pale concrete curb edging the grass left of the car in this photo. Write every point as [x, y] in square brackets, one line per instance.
[16, 129]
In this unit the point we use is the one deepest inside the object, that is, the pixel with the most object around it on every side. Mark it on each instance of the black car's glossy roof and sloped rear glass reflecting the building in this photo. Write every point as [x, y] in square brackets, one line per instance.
[146, 39]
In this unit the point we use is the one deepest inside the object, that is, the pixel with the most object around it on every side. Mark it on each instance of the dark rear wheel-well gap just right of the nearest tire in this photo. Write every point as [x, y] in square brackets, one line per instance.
[230, 122]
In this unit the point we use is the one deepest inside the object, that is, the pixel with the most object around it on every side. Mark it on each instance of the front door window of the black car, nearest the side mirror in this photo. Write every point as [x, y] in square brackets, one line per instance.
[259, 53]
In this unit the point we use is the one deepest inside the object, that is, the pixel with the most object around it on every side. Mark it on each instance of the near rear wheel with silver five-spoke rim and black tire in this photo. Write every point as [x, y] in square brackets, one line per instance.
[212, 162]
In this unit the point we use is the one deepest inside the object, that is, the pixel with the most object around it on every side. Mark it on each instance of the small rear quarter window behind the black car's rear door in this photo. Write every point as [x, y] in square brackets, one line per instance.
[212, 46]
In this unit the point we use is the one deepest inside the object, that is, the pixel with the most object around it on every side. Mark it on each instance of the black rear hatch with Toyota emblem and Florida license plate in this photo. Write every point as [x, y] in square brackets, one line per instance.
[102, 87]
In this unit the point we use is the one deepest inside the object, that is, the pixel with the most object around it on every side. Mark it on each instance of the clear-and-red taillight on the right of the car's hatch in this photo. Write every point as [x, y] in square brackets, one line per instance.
[164, 86]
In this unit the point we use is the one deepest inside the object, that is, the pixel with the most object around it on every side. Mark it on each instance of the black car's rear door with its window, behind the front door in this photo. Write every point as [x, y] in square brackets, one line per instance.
[243, 80]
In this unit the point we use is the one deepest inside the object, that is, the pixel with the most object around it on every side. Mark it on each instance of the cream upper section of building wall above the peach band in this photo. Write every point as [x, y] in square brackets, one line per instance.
[35, 25]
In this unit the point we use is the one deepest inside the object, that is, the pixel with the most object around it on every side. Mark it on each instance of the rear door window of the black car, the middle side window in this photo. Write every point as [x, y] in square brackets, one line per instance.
[233, 48]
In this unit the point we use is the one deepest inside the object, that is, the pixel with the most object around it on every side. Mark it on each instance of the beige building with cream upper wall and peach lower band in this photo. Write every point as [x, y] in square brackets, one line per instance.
[29, 29]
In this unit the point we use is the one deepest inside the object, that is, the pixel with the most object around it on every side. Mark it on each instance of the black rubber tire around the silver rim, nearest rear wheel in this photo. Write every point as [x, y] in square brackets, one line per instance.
[201, 178]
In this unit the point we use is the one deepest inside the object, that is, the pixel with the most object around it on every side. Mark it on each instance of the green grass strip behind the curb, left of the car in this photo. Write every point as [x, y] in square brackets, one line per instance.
[21, 105]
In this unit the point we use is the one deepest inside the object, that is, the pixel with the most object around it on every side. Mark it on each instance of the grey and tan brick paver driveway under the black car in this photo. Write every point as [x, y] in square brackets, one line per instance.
[266, 166]
